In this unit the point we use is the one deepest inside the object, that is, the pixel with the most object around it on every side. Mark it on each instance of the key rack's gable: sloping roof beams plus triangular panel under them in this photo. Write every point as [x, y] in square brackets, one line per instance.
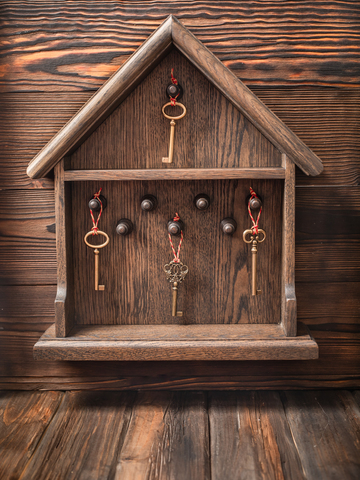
[253, 128]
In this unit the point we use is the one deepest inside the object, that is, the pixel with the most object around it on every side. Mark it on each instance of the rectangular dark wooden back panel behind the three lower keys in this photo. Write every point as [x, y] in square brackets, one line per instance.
[214, 291]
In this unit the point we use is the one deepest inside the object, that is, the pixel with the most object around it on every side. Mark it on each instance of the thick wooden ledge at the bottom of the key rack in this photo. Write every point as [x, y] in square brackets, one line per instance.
[176, 342]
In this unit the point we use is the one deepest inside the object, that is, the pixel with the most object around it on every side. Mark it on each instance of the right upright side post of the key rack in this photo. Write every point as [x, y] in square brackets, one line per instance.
[288, 297]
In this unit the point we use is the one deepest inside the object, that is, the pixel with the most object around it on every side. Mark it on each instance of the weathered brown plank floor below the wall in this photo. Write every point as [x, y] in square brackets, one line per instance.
[180, 435]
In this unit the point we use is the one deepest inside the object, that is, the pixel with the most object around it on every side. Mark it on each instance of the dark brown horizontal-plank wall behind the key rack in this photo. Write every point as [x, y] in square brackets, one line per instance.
[300, 58]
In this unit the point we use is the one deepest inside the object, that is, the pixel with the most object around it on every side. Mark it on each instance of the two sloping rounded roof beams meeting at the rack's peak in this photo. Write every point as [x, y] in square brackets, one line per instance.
[136, 68]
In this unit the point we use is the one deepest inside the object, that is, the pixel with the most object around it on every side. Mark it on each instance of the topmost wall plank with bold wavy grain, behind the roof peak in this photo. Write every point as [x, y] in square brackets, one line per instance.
[77, 46]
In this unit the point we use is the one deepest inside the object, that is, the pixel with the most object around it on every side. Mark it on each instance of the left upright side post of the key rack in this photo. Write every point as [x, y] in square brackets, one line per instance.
[64, 302]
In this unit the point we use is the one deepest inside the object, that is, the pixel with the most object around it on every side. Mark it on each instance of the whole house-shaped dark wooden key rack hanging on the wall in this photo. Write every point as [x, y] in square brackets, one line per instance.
[227, 142]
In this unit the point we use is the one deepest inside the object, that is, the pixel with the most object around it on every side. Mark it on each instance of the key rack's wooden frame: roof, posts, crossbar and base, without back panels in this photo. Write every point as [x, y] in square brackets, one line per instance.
[68, 341]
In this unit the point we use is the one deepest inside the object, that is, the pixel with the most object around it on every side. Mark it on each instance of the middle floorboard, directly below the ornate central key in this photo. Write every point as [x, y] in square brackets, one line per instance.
[167, 438]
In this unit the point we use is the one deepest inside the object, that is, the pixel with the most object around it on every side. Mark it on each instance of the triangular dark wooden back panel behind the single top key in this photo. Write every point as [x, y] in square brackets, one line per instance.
[212, 134]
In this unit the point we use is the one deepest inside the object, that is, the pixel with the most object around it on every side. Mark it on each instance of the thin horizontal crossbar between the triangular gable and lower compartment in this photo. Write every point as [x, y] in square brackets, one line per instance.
[176, 174]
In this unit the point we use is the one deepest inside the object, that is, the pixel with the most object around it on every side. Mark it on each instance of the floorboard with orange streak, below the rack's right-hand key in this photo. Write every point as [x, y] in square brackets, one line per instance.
[250, 438]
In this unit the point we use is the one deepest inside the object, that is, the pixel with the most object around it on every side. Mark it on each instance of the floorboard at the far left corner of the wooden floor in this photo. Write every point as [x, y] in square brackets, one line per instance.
[24, 417]
